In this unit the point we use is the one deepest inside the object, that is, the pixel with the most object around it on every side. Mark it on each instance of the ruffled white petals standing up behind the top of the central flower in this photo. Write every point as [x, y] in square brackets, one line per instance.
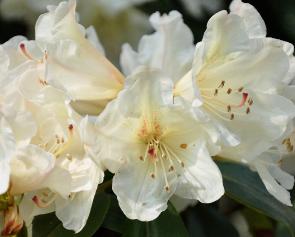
[170, 48]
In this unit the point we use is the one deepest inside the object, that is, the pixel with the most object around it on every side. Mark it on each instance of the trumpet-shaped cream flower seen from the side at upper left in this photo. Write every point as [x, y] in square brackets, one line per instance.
[73, 63]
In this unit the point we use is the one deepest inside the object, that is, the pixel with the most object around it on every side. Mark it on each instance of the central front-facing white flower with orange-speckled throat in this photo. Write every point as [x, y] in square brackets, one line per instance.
[155, 150]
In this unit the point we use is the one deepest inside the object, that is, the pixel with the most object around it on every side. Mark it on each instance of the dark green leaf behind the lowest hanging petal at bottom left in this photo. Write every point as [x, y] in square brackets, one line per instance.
[49, 226]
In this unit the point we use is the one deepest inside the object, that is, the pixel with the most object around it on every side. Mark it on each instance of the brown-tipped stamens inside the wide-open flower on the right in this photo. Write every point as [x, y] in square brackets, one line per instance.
[214, 102]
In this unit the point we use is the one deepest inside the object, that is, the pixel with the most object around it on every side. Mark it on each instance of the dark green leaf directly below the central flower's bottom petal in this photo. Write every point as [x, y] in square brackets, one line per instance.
[168, 224]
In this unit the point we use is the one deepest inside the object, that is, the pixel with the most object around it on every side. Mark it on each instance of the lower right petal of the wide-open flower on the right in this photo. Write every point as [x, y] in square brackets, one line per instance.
[268, 120]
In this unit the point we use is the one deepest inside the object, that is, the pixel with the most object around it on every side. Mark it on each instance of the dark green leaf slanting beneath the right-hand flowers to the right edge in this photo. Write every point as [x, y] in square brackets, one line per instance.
[246, 187]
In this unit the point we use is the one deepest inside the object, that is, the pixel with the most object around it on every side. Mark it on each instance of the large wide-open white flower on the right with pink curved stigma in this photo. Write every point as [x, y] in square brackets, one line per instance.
[238, 73]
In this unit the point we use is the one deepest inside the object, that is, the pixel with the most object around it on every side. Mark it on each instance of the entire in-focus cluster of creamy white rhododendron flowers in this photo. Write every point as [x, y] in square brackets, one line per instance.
[157, 123]
